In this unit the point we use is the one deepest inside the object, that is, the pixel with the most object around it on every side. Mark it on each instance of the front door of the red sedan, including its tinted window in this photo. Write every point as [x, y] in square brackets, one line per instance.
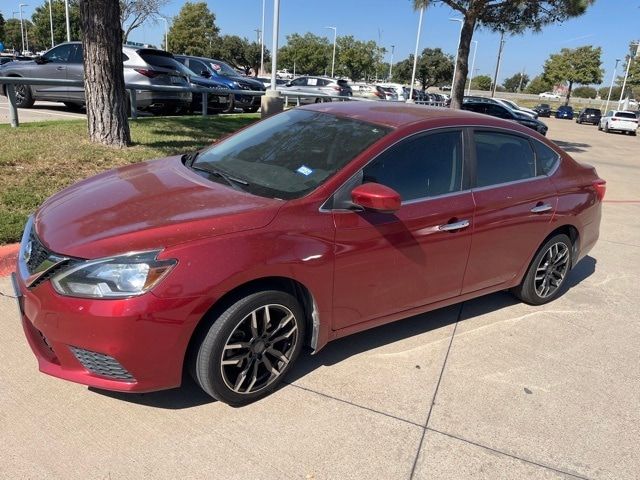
[388, 263]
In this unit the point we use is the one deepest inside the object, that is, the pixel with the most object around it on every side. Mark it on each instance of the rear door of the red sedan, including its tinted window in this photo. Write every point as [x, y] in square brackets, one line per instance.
[515, 202]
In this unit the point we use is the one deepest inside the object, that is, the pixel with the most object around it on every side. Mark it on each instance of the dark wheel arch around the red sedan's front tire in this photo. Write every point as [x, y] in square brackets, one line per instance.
[294, 287]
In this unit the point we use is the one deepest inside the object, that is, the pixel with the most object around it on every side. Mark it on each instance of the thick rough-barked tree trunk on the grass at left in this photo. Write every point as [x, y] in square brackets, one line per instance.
[103, 73]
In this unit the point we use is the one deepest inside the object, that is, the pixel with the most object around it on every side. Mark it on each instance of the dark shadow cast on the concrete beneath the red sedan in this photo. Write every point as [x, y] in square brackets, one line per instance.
[190, 395]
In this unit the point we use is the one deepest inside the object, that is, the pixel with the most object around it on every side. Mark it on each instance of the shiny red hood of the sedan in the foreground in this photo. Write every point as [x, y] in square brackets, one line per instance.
[145, 206]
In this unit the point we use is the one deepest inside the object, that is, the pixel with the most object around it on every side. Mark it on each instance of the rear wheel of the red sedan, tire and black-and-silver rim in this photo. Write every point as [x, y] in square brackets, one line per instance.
[547, 272]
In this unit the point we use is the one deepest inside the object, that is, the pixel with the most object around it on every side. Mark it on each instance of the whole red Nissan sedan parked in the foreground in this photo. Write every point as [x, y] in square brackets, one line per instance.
[314, 224]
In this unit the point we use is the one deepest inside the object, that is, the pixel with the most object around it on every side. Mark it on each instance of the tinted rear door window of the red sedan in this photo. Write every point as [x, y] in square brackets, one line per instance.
[502, 158]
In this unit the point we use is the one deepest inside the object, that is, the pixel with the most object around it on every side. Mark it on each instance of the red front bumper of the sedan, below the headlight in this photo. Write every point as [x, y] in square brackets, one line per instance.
[130, 345]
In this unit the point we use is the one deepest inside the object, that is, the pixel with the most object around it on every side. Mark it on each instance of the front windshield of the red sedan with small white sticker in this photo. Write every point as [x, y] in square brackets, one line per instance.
[290, 154]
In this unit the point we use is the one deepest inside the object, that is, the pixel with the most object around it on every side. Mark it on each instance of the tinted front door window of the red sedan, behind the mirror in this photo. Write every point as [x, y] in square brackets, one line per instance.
[423, 166]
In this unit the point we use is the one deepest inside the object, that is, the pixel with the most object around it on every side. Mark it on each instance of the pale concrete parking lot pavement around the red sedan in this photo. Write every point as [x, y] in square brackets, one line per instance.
[490, 388]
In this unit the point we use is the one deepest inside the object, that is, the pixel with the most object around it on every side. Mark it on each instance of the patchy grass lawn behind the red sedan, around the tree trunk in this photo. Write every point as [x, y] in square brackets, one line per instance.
[39, 159]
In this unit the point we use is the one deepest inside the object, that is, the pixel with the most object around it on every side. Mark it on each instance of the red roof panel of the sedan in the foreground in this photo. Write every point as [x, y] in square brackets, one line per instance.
[399, 115]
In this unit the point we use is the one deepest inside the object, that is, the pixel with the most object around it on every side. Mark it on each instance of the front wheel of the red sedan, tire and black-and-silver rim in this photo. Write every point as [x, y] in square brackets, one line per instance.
[250, 347]
